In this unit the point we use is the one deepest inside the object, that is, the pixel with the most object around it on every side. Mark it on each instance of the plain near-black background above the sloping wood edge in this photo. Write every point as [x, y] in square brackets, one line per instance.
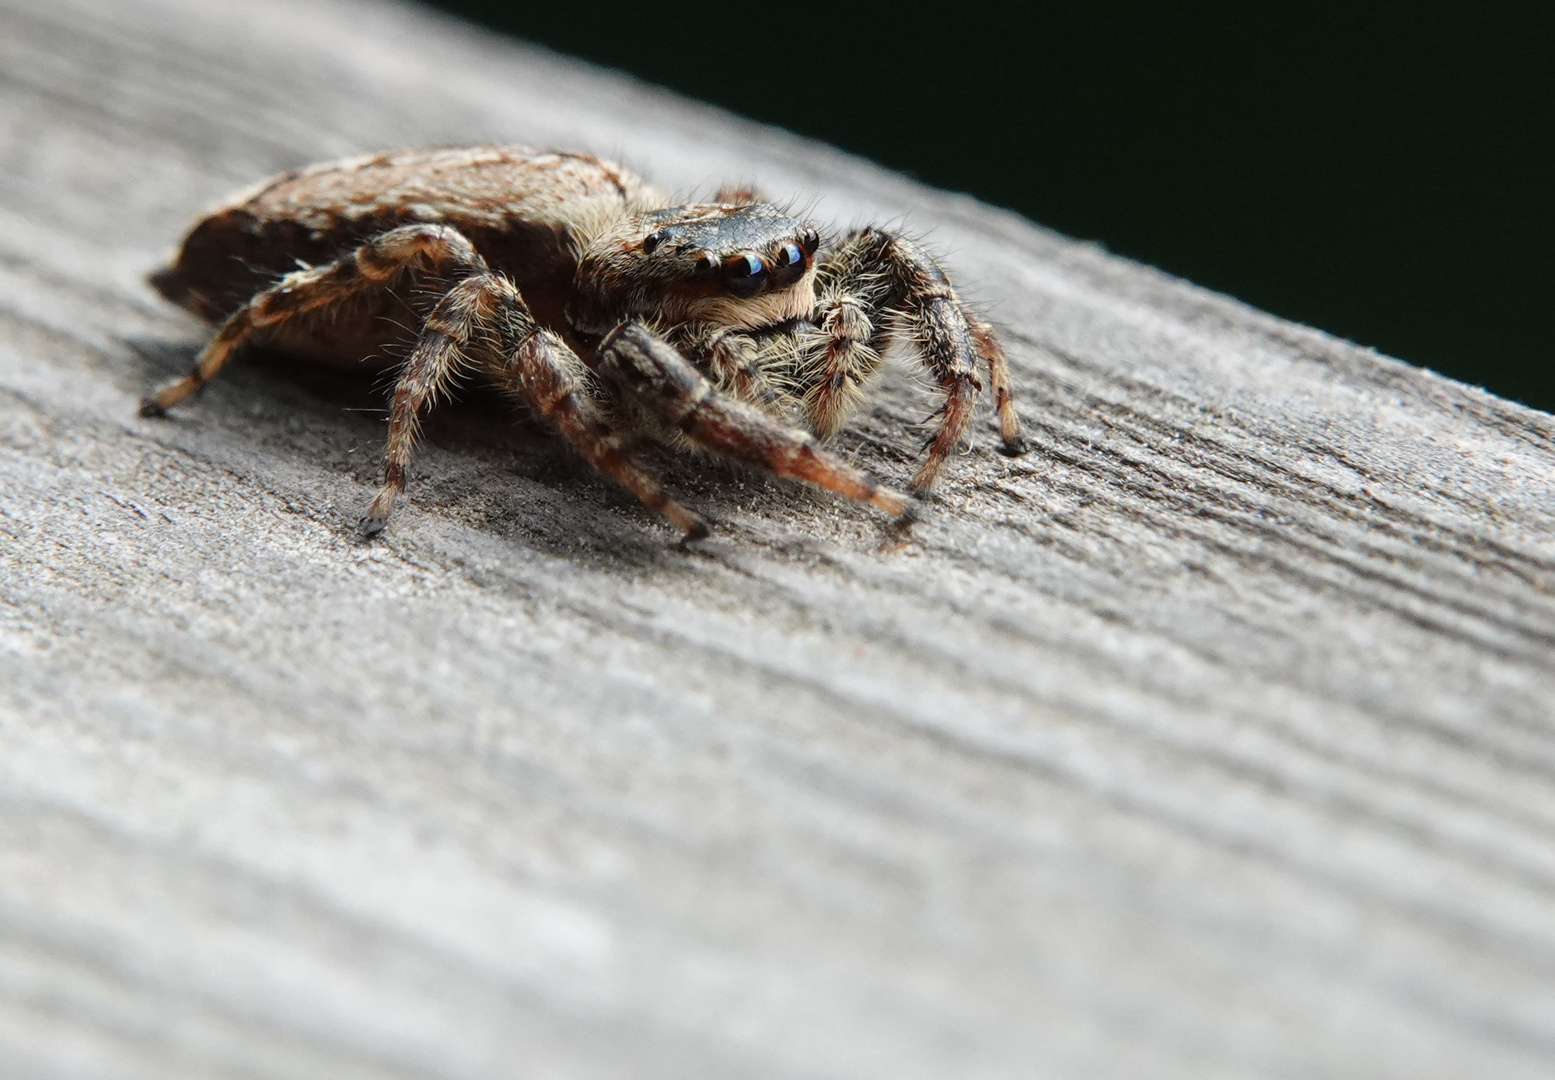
[1379, 172]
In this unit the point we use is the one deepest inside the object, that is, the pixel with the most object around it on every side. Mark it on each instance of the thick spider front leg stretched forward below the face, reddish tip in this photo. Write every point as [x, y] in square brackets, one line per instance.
[676, 394]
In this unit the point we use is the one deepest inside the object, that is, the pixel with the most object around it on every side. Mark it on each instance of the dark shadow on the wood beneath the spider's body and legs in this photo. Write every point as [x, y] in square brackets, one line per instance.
[288, 405]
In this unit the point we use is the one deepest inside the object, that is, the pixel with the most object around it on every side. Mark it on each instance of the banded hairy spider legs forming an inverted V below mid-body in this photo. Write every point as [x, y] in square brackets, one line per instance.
[483, 319]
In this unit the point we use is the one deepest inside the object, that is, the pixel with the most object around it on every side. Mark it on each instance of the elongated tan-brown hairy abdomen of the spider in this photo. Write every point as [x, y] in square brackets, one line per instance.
[528, 214]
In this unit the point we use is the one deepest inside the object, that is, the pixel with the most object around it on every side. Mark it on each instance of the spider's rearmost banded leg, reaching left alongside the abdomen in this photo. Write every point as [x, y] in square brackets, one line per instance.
[372, 265]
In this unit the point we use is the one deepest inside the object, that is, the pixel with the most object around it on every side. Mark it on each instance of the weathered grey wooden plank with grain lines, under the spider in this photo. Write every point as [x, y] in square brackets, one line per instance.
[1212, 740]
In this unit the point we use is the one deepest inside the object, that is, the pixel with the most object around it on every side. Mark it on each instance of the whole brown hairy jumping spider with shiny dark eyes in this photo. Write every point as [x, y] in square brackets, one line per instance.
[595, 301]
